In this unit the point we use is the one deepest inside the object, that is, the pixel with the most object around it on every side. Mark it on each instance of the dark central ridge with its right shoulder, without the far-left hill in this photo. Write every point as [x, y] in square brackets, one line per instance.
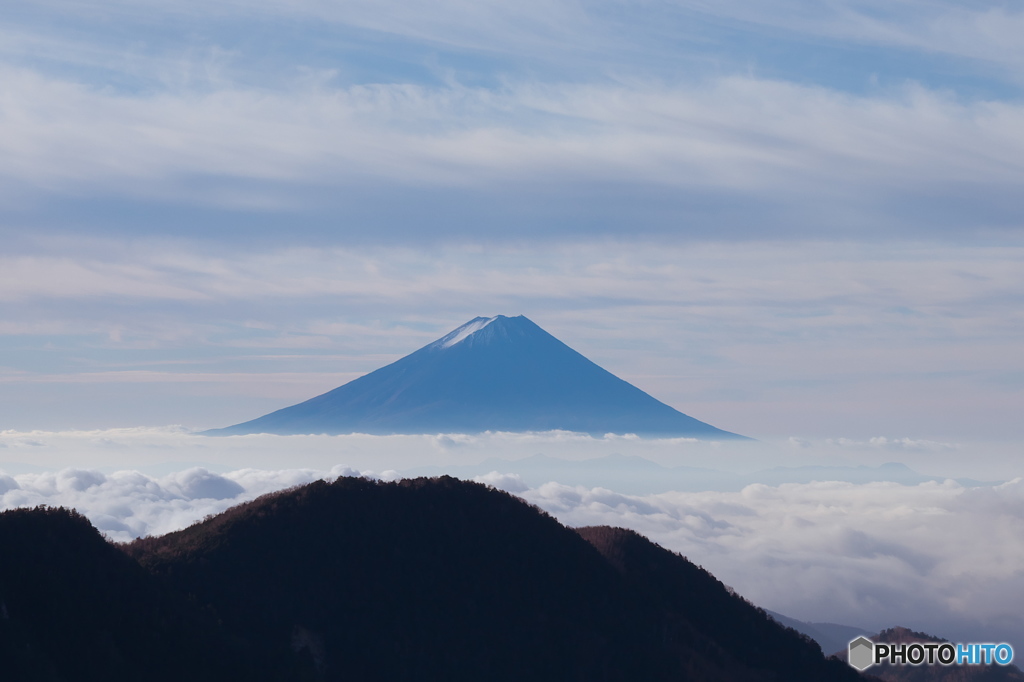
[448, 580]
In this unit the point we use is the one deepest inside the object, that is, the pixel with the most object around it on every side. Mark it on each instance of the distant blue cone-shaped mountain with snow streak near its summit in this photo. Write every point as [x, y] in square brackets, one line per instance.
[492, 374]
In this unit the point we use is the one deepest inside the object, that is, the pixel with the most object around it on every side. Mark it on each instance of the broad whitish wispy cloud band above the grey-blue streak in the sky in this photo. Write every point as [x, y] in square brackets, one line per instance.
[794, 148]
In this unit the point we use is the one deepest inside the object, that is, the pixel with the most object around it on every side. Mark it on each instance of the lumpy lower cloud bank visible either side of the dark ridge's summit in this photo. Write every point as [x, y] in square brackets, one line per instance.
[937, 558]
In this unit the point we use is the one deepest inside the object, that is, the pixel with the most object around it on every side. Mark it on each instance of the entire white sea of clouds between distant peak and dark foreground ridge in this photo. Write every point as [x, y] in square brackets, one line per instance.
[938, 557]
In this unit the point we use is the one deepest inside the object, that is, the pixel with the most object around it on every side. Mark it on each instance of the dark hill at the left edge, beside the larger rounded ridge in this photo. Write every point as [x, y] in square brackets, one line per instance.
[73, 608]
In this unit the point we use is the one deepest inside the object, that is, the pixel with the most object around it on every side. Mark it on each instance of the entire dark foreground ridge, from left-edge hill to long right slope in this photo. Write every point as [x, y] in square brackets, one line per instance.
[361, 580]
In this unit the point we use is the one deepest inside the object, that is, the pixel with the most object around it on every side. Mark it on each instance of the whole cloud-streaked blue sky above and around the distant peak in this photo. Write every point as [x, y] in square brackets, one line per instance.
[783, 218]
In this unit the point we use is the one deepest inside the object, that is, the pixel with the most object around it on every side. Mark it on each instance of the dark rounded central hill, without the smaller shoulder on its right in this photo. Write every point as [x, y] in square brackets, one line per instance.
[387, 581]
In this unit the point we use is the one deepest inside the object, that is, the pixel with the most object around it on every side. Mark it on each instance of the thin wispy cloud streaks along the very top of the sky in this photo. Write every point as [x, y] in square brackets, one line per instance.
[544, 31]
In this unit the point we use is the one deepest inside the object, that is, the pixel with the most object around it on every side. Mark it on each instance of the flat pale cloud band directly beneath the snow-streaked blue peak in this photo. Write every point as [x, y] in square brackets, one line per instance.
[162, 451]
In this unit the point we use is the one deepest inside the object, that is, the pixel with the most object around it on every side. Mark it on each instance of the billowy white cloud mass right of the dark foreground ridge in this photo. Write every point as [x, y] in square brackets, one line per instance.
[935, 558]
